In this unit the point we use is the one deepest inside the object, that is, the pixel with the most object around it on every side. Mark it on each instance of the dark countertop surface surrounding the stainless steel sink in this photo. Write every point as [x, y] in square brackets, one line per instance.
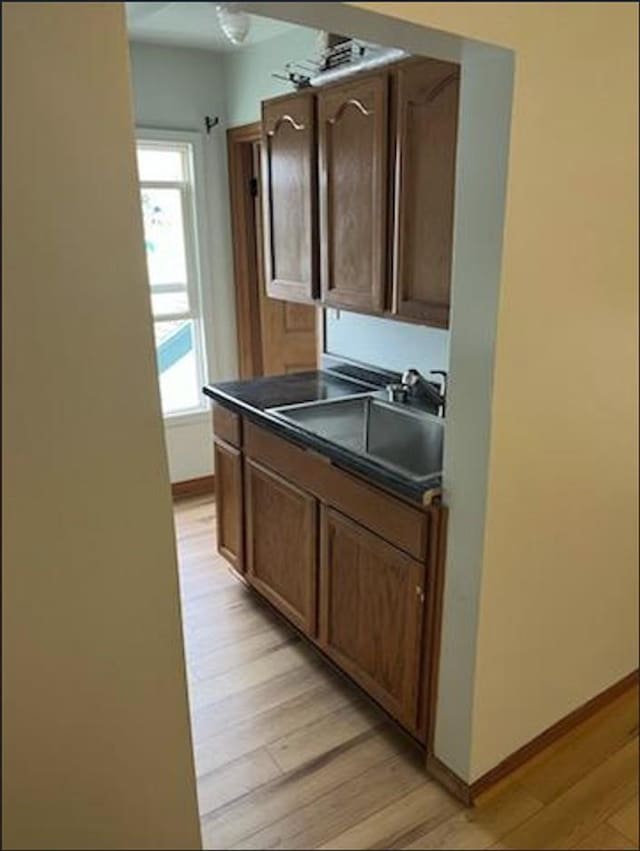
[253, 397]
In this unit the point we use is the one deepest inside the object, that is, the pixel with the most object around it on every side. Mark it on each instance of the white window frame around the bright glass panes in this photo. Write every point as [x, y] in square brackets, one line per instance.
[193, 211]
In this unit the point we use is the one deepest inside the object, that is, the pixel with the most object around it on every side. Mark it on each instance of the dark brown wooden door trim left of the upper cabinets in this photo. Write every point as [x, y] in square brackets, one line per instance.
[243, 227]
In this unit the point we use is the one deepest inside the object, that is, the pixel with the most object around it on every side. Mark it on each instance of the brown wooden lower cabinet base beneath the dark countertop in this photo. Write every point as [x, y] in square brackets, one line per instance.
[345, 562]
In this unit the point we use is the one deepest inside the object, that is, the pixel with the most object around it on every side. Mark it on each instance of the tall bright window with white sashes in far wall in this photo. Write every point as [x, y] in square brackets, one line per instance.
[167, 191]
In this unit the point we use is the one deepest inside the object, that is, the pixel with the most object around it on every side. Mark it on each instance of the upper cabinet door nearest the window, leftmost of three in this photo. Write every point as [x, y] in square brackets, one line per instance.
[289, 178]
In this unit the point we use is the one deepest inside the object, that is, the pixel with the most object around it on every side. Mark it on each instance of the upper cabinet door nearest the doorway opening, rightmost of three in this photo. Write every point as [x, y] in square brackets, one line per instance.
[426, 121]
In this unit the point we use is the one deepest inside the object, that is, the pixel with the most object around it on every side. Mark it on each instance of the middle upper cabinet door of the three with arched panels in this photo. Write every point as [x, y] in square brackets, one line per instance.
[353, 147]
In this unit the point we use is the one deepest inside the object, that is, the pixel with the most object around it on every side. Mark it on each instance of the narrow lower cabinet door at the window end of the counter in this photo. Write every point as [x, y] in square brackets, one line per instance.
[228, 484]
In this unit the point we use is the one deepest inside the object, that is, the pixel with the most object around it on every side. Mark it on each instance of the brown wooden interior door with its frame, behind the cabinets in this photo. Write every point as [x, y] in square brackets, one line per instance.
[274, 336]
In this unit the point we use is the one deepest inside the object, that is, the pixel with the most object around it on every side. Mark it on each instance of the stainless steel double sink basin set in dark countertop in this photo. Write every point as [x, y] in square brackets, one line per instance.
[395, 436]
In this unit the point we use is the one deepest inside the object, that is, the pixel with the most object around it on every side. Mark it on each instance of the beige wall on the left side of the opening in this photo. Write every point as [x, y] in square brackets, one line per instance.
[96, 737]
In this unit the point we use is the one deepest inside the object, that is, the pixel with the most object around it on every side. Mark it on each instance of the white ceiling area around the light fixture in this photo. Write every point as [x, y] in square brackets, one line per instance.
[193, 25]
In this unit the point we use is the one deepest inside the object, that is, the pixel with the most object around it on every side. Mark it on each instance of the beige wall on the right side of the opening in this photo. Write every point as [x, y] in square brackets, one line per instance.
[559, 594]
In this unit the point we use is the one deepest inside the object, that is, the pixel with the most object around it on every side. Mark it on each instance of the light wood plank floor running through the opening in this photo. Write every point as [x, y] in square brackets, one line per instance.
[288, 755]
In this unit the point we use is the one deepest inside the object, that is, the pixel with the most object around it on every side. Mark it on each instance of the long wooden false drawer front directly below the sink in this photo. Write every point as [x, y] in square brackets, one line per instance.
[395, 521]
